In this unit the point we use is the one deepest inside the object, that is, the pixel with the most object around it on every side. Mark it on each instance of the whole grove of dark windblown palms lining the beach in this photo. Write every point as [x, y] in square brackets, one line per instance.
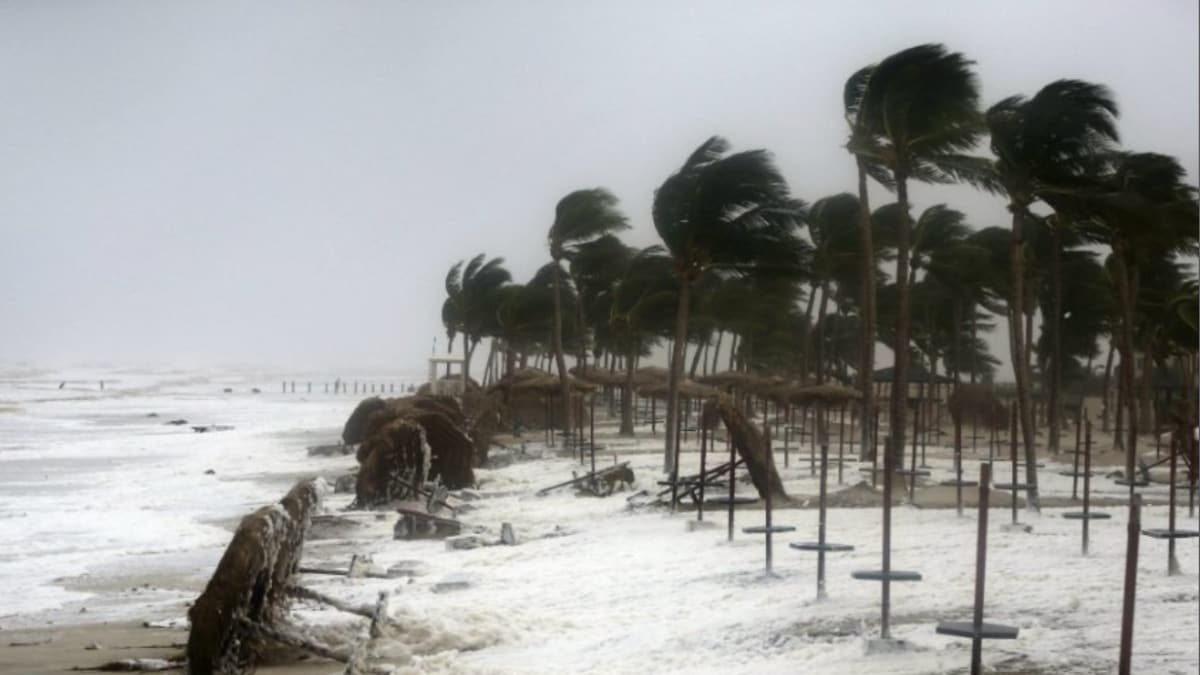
[1100, 244]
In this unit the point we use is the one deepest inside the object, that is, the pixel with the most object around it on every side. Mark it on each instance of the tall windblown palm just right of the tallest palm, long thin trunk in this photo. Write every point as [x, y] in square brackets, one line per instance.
[1045, 145]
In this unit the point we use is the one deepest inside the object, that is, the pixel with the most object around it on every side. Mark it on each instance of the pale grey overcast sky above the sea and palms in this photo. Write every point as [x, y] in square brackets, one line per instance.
[287, 183]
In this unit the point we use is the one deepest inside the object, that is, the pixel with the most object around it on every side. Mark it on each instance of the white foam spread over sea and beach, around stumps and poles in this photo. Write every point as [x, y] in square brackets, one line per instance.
[592, 586]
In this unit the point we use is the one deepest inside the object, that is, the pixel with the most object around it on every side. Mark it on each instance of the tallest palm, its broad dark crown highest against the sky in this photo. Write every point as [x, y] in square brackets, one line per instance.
[916, 114]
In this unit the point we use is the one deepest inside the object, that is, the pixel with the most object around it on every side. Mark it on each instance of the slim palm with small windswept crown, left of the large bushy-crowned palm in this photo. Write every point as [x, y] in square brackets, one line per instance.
[581, 217]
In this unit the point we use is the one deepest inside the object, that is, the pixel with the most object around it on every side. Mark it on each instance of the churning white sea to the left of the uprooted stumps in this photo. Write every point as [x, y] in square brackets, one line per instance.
[95, 483]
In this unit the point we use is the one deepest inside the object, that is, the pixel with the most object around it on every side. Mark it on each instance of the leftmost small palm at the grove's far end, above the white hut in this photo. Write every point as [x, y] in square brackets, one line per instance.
[471, 302]
